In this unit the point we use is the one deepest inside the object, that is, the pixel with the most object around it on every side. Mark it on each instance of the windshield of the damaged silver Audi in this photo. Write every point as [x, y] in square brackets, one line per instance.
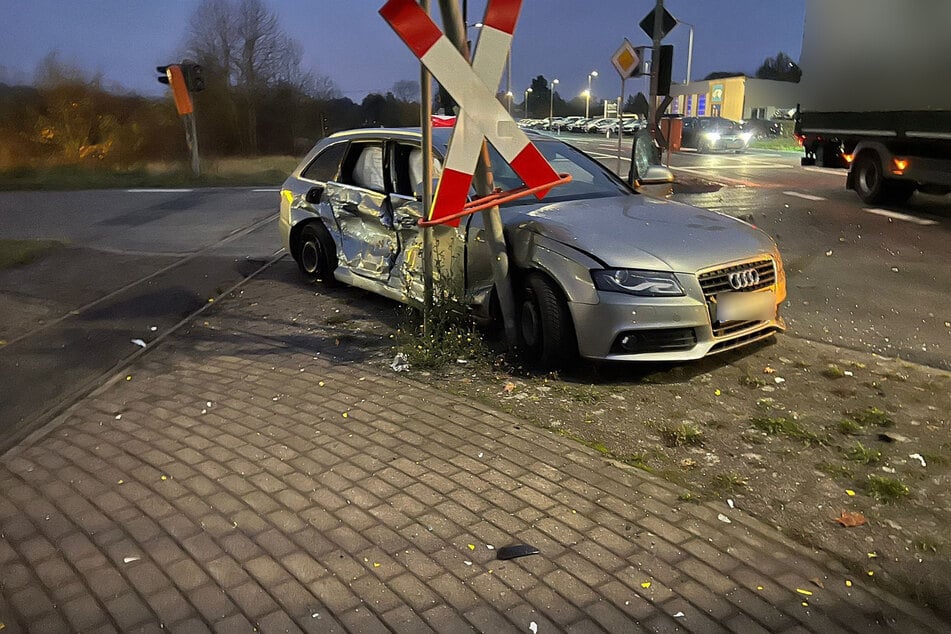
[588, 178]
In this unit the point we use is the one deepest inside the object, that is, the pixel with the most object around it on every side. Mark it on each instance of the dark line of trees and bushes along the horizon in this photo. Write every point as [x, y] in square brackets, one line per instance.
[257, 100]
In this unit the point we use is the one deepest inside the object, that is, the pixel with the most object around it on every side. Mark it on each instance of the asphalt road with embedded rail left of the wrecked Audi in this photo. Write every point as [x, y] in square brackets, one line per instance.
[136, 264]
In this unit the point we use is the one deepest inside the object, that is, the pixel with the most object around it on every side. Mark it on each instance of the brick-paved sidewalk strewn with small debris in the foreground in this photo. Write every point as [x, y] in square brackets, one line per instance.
[238, 482]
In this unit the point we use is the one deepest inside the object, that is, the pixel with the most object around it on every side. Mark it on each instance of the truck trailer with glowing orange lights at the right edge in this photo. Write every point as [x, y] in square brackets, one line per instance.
[876, 94]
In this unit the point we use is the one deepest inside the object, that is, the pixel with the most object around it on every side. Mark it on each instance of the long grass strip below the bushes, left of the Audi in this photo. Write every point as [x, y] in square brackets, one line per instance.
[264, 170]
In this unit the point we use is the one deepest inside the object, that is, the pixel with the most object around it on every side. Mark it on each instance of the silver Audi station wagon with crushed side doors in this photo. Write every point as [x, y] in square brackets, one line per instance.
[598, 269]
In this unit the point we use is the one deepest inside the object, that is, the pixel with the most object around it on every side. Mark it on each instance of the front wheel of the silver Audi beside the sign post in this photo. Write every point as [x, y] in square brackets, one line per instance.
[546, 333]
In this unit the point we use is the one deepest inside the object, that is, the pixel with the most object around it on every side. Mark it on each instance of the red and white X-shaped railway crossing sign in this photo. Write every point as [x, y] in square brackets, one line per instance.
[481, 115]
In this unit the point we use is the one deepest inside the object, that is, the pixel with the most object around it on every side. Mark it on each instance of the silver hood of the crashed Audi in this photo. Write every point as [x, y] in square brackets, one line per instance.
[640, 232]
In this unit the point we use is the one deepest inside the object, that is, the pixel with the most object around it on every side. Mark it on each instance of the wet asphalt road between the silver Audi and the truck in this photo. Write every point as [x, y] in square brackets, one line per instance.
[875, 279]
